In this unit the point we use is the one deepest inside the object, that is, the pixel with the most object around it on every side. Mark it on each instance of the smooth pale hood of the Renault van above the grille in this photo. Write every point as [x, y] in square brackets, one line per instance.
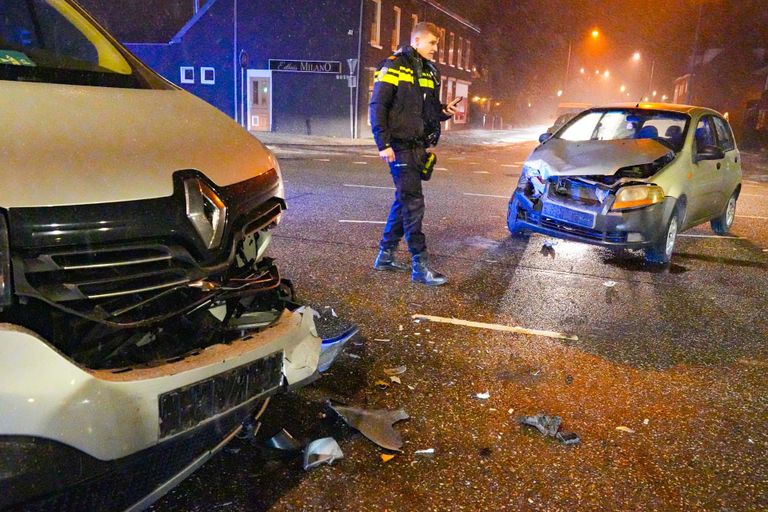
[65, 145]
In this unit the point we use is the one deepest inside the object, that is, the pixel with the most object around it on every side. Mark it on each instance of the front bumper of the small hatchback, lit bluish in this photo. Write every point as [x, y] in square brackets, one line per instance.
[595, 223]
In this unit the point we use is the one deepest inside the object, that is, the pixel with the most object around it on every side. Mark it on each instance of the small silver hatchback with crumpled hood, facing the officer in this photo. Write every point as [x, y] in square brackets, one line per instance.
[631, 176]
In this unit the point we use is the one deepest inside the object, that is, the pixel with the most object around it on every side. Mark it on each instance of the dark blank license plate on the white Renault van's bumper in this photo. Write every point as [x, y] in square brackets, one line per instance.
[185, 408]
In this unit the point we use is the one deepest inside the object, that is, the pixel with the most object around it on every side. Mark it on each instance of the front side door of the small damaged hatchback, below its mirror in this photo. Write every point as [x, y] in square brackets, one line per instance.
[707, 174]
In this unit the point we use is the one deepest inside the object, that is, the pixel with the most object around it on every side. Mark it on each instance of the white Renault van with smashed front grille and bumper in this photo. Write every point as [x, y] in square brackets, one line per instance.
[140, 321]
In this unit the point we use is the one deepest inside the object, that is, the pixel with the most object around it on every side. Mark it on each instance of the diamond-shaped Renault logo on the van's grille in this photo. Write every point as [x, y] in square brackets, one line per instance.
[206, 211]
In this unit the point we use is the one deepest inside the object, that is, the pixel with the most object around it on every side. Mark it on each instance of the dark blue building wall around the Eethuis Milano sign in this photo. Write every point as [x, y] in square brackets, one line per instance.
[322, 30]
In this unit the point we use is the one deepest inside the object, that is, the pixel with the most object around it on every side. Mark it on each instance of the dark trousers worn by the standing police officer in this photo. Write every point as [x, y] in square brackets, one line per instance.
[407, 211]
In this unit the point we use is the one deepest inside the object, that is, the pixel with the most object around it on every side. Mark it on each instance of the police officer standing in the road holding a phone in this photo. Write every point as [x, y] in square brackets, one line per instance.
[405, 114]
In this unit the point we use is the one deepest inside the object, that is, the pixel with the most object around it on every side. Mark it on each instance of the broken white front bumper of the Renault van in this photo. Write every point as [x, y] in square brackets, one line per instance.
[72, 435]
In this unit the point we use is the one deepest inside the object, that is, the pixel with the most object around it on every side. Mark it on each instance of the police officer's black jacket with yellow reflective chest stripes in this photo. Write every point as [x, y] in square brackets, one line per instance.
[405, 108]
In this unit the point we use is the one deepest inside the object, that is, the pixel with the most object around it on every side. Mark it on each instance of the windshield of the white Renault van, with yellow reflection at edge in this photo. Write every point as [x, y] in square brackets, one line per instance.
[52, 41]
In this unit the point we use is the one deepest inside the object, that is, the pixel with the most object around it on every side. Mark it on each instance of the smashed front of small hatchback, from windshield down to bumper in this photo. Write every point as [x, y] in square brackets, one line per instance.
[601, 188]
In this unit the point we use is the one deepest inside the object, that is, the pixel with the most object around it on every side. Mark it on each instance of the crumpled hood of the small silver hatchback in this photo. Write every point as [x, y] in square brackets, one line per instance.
[558, 157]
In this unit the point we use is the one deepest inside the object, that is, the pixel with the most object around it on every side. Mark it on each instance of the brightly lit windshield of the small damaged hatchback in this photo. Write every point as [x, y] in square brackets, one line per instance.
[669, 128]
